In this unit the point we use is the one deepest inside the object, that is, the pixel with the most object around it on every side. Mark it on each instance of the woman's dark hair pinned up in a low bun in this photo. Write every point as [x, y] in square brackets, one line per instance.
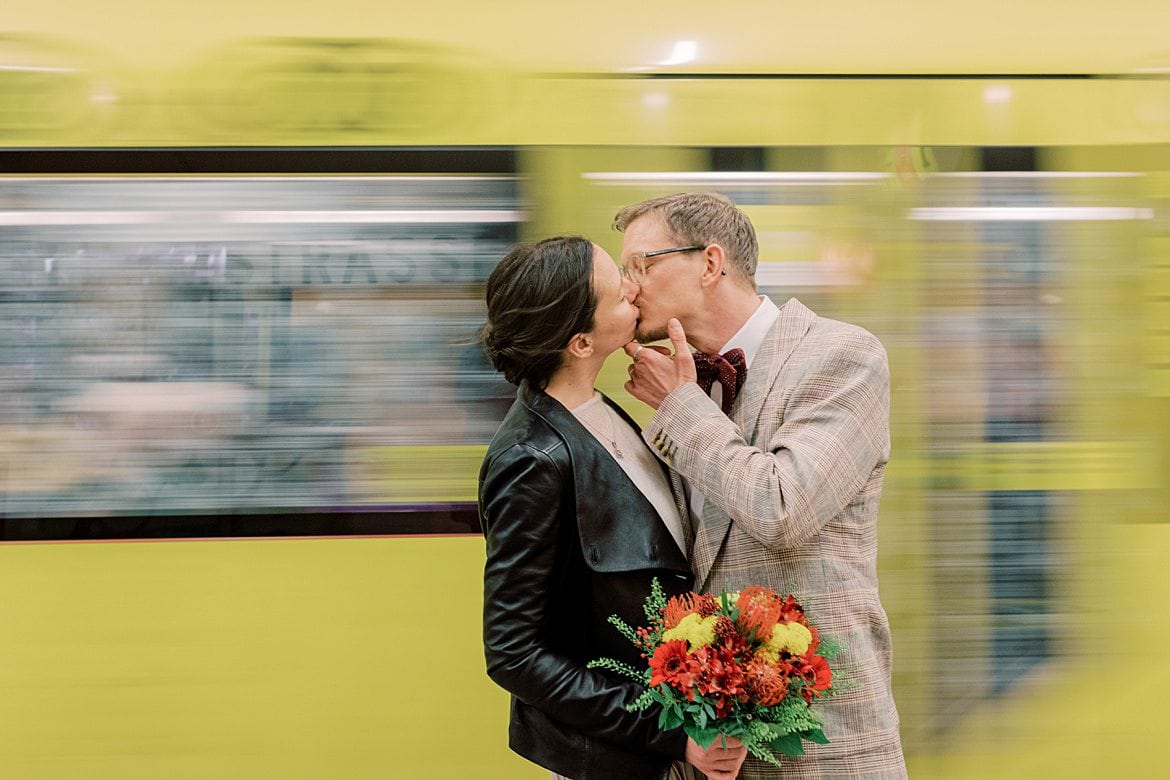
[539, 296]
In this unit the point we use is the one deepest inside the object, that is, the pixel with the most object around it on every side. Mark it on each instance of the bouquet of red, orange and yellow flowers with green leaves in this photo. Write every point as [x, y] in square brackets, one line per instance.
[745, 665]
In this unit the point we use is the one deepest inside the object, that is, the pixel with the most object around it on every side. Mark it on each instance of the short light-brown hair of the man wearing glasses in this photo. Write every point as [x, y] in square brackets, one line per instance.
[703, 218]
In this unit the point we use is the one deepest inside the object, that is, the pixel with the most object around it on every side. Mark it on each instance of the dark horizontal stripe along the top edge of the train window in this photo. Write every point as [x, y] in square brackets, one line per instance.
[260, 160]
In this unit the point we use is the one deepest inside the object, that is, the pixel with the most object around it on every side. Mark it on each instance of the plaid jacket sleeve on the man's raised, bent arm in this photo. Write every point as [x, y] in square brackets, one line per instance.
[832, 431]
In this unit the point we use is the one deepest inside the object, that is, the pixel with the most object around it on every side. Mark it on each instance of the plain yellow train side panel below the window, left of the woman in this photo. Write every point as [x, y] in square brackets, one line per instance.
[277, 659]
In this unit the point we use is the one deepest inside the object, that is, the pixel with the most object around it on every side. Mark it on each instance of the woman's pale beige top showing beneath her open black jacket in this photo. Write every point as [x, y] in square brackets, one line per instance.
[635, 458]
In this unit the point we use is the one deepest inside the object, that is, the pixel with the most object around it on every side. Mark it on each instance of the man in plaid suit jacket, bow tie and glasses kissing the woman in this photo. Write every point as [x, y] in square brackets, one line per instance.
[784, 467]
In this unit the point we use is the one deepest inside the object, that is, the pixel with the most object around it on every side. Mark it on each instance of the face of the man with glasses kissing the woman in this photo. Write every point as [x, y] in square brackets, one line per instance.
[671, 285]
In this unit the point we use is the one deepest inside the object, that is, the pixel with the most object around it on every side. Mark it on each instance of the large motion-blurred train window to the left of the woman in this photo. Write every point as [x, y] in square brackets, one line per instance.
[247, 354]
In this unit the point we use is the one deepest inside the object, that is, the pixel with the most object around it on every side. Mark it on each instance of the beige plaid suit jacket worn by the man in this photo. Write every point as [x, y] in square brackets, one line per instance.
[792, 485]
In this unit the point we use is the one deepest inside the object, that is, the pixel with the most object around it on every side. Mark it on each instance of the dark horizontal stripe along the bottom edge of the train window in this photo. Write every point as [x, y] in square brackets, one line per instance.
[382, 521]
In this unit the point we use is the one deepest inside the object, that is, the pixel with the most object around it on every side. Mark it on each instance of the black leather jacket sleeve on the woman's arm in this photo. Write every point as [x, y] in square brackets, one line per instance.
[521, 494]
